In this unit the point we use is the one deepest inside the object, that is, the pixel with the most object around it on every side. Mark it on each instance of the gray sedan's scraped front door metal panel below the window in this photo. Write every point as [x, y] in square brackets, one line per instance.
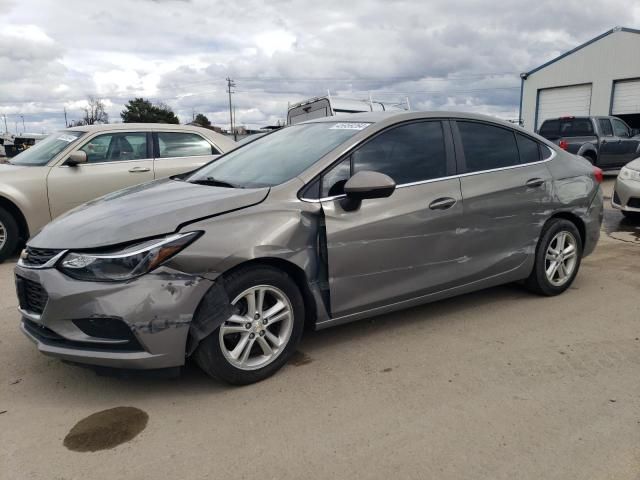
[395, 248]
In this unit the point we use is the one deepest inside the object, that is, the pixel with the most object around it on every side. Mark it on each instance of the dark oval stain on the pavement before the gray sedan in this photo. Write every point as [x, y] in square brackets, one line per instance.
[106, 429]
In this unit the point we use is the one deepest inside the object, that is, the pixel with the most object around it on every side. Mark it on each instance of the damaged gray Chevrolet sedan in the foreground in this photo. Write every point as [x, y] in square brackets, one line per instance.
[315, 225]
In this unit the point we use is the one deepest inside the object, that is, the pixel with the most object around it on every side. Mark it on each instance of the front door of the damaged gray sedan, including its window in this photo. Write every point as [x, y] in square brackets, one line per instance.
[404, 246]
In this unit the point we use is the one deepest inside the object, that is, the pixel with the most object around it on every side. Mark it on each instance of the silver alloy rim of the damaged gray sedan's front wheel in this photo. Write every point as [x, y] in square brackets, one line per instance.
[259, 330]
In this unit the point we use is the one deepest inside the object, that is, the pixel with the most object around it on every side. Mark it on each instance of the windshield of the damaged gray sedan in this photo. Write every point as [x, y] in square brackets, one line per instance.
[277, 157]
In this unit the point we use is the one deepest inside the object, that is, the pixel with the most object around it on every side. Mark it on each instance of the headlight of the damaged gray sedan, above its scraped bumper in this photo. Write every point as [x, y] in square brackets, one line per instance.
[127, 263]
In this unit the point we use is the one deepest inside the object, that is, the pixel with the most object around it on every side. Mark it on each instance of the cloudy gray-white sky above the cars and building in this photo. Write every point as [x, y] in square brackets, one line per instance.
[441, 54]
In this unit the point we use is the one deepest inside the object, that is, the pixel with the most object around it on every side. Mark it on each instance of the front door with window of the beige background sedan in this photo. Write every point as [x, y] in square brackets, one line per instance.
[115, 160]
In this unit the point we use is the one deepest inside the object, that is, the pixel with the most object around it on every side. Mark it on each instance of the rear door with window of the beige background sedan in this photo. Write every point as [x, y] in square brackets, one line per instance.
[180, 152]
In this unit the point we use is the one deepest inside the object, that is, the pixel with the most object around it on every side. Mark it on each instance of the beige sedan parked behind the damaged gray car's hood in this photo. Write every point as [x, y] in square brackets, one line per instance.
[78, 164]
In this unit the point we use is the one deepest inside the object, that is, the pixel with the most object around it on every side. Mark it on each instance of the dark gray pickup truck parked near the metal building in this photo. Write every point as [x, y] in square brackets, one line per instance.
[606, 142]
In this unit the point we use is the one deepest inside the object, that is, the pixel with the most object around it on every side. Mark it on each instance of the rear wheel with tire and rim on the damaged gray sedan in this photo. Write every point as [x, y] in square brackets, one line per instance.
[558, 257]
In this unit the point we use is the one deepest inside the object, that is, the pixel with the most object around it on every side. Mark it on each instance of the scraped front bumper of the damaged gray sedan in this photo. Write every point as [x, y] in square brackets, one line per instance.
[153, 314]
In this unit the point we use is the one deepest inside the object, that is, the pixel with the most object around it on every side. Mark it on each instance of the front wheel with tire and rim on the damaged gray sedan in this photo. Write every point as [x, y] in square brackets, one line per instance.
[263, 333]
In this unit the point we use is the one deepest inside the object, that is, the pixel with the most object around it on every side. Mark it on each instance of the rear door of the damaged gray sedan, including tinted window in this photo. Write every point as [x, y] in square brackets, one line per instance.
[506, 188]
